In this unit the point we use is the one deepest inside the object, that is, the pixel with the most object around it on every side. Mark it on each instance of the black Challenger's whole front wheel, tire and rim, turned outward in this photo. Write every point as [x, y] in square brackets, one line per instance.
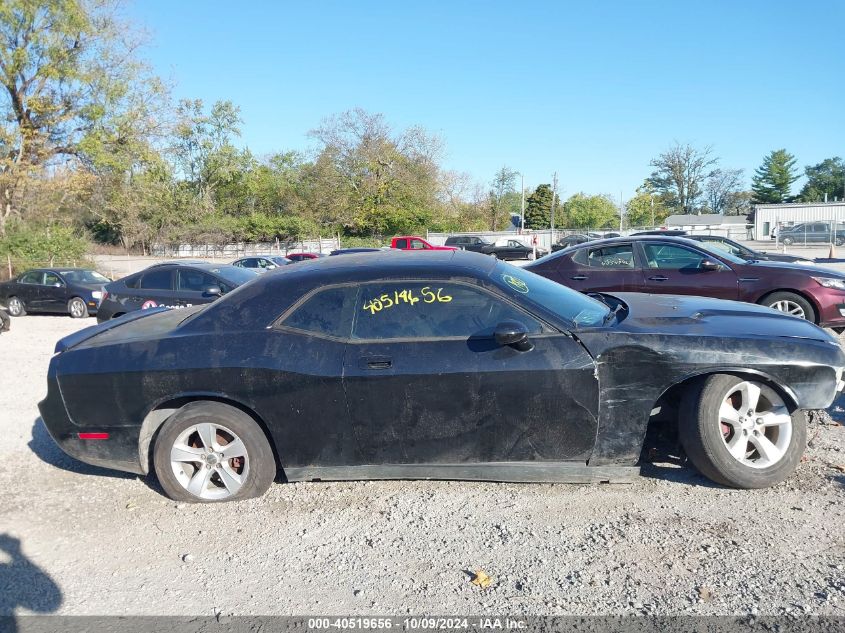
[734, 449]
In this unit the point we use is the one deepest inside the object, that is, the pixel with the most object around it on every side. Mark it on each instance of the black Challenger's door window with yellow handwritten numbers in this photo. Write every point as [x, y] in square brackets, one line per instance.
[414, 309]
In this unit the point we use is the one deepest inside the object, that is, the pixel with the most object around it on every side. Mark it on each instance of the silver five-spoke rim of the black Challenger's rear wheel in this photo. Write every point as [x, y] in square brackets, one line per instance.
[209, 461]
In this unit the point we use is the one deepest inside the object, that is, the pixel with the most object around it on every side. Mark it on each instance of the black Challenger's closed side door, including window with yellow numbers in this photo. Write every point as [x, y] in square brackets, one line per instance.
[426, 382]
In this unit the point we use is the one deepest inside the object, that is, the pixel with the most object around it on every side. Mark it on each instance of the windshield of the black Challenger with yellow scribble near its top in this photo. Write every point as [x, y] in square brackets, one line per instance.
[571, 305]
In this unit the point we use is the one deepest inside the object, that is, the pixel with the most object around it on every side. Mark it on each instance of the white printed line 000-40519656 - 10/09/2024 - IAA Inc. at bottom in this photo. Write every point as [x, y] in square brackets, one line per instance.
[417, 623]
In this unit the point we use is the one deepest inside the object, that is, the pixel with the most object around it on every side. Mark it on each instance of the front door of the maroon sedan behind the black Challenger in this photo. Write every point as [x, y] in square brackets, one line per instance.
[680, 269]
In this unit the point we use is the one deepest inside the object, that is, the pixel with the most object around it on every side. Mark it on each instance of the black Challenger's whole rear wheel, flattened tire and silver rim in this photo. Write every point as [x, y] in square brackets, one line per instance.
[196, 475]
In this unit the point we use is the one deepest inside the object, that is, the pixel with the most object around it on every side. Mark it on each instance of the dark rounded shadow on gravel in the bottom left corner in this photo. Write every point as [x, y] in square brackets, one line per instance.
[23, 584]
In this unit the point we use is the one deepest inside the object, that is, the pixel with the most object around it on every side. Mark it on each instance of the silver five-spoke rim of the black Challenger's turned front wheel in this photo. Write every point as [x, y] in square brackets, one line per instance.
[755, 425]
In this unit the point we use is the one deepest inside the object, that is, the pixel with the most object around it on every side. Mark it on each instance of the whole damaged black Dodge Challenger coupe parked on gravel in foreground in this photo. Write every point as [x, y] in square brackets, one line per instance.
[445, 365]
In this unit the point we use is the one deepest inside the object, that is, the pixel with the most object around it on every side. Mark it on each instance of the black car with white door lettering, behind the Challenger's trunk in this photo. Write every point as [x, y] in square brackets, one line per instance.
[173, 285]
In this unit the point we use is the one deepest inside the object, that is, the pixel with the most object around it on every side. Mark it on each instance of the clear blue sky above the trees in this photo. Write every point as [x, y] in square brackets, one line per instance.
[592, 90]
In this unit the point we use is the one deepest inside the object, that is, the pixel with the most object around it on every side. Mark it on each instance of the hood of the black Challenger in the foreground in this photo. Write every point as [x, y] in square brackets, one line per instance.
[704, 316]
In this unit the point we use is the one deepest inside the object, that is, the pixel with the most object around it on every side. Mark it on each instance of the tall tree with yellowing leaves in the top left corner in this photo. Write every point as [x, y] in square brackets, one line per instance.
[73, 88]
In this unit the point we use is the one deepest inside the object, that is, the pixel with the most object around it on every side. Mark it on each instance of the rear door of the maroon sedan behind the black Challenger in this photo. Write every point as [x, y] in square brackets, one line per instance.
[609, 268]
